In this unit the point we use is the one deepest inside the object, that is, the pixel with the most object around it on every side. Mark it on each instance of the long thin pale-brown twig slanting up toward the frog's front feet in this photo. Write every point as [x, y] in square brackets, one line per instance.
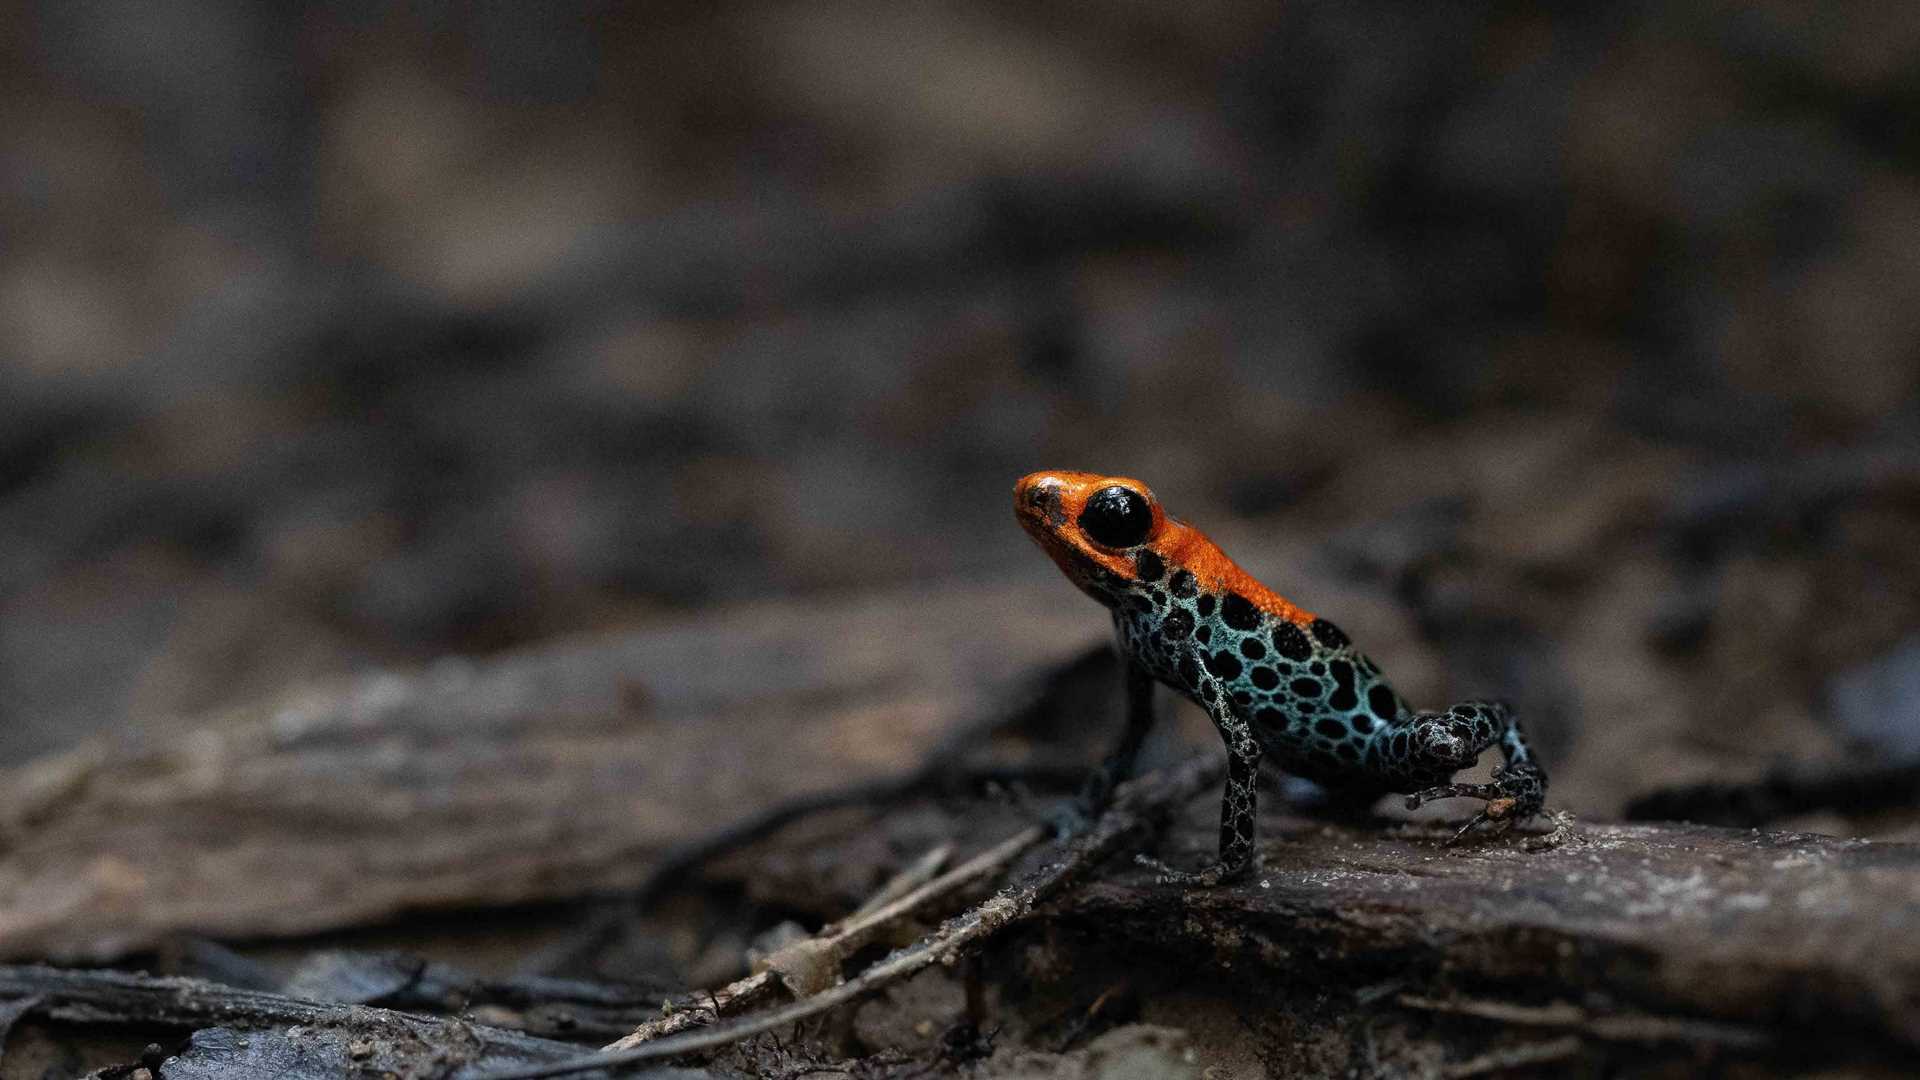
[1130, 816]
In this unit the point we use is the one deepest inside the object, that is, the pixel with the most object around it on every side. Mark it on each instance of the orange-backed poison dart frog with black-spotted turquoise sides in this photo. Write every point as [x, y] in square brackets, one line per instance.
[1276, 679]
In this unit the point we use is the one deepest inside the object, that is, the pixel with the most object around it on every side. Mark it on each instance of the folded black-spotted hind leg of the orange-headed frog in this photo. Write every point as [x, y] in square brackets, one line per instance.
[1426, 750]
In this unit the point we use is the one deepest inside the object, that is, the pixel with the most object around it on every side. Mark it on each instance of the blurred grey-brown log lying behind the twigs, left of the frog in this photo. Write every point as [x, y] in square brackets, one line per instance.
[542, 775]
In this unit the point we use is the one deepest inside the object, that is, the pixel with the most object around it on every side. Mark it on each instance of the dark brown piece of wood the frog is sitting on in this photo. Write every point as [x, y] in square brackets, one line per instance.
[1700, 935]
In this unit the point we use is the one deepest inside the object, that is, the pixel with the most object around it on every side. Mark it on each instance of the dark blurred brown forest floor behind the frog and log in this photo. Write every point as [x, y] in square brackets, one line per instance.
[1564, 353]
